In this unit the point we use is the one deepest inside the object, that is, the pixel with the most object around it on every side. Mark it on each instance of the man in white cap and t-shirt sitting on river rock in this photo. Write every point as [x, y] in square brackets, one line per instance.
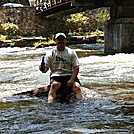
[64, 66]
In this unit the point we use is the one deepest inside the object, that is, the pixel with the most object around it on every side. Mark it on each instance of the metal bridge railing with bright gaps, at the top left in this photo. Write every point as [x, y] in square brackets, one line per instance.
[42, 5]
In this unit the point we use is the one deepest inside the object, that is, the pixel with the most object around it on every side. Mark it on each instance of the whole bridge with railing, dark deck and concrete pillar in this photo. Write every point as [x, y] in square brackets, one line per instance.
[119, 31]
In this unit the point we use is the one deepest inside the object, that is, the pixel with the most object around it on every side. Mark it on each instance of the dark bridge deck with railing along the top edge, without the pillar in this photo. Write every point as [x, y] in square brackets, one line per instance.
[48, 7]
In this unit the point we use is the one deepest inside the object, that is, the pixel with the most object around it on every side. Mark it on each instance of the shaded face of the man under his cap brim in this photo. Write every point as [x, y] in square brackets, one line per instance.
[61, 43]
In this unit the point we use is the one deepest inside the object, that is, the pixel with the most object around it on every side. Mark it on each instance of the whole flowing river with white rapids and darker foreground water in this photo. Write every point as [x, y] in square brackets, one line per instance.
[107, 86]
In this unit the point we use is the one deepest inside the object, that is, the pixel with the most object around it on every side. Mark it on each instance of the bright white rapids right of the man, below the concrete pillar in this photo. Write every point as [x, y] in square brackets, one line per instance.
[119, 67]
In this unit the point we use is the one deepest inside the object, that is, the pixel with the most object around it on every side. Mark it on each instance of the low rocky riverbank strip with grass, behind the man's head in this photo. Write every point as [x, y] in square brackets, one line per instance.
[44, 42]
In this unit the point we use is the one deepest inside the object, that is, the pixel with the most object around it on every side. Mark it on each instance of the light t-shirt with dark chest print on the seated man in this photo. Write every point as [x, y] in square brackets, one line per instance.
[61, 63]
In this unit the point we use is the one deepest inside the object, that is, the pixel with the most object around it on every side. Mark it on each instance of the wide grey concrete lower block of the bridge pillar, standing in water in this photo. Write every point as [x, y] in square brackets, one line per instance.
[119, 36]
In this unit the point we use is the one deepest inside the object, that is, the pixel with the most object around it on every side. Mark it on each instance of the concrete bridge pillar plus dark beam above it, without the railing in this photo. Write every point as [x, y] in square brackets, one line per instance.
[119, 31]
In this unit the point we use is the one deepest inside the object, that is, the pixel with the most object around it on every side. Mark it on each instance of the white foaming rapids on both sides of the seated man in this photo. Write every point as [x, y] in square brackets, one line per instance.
[22, 74]
